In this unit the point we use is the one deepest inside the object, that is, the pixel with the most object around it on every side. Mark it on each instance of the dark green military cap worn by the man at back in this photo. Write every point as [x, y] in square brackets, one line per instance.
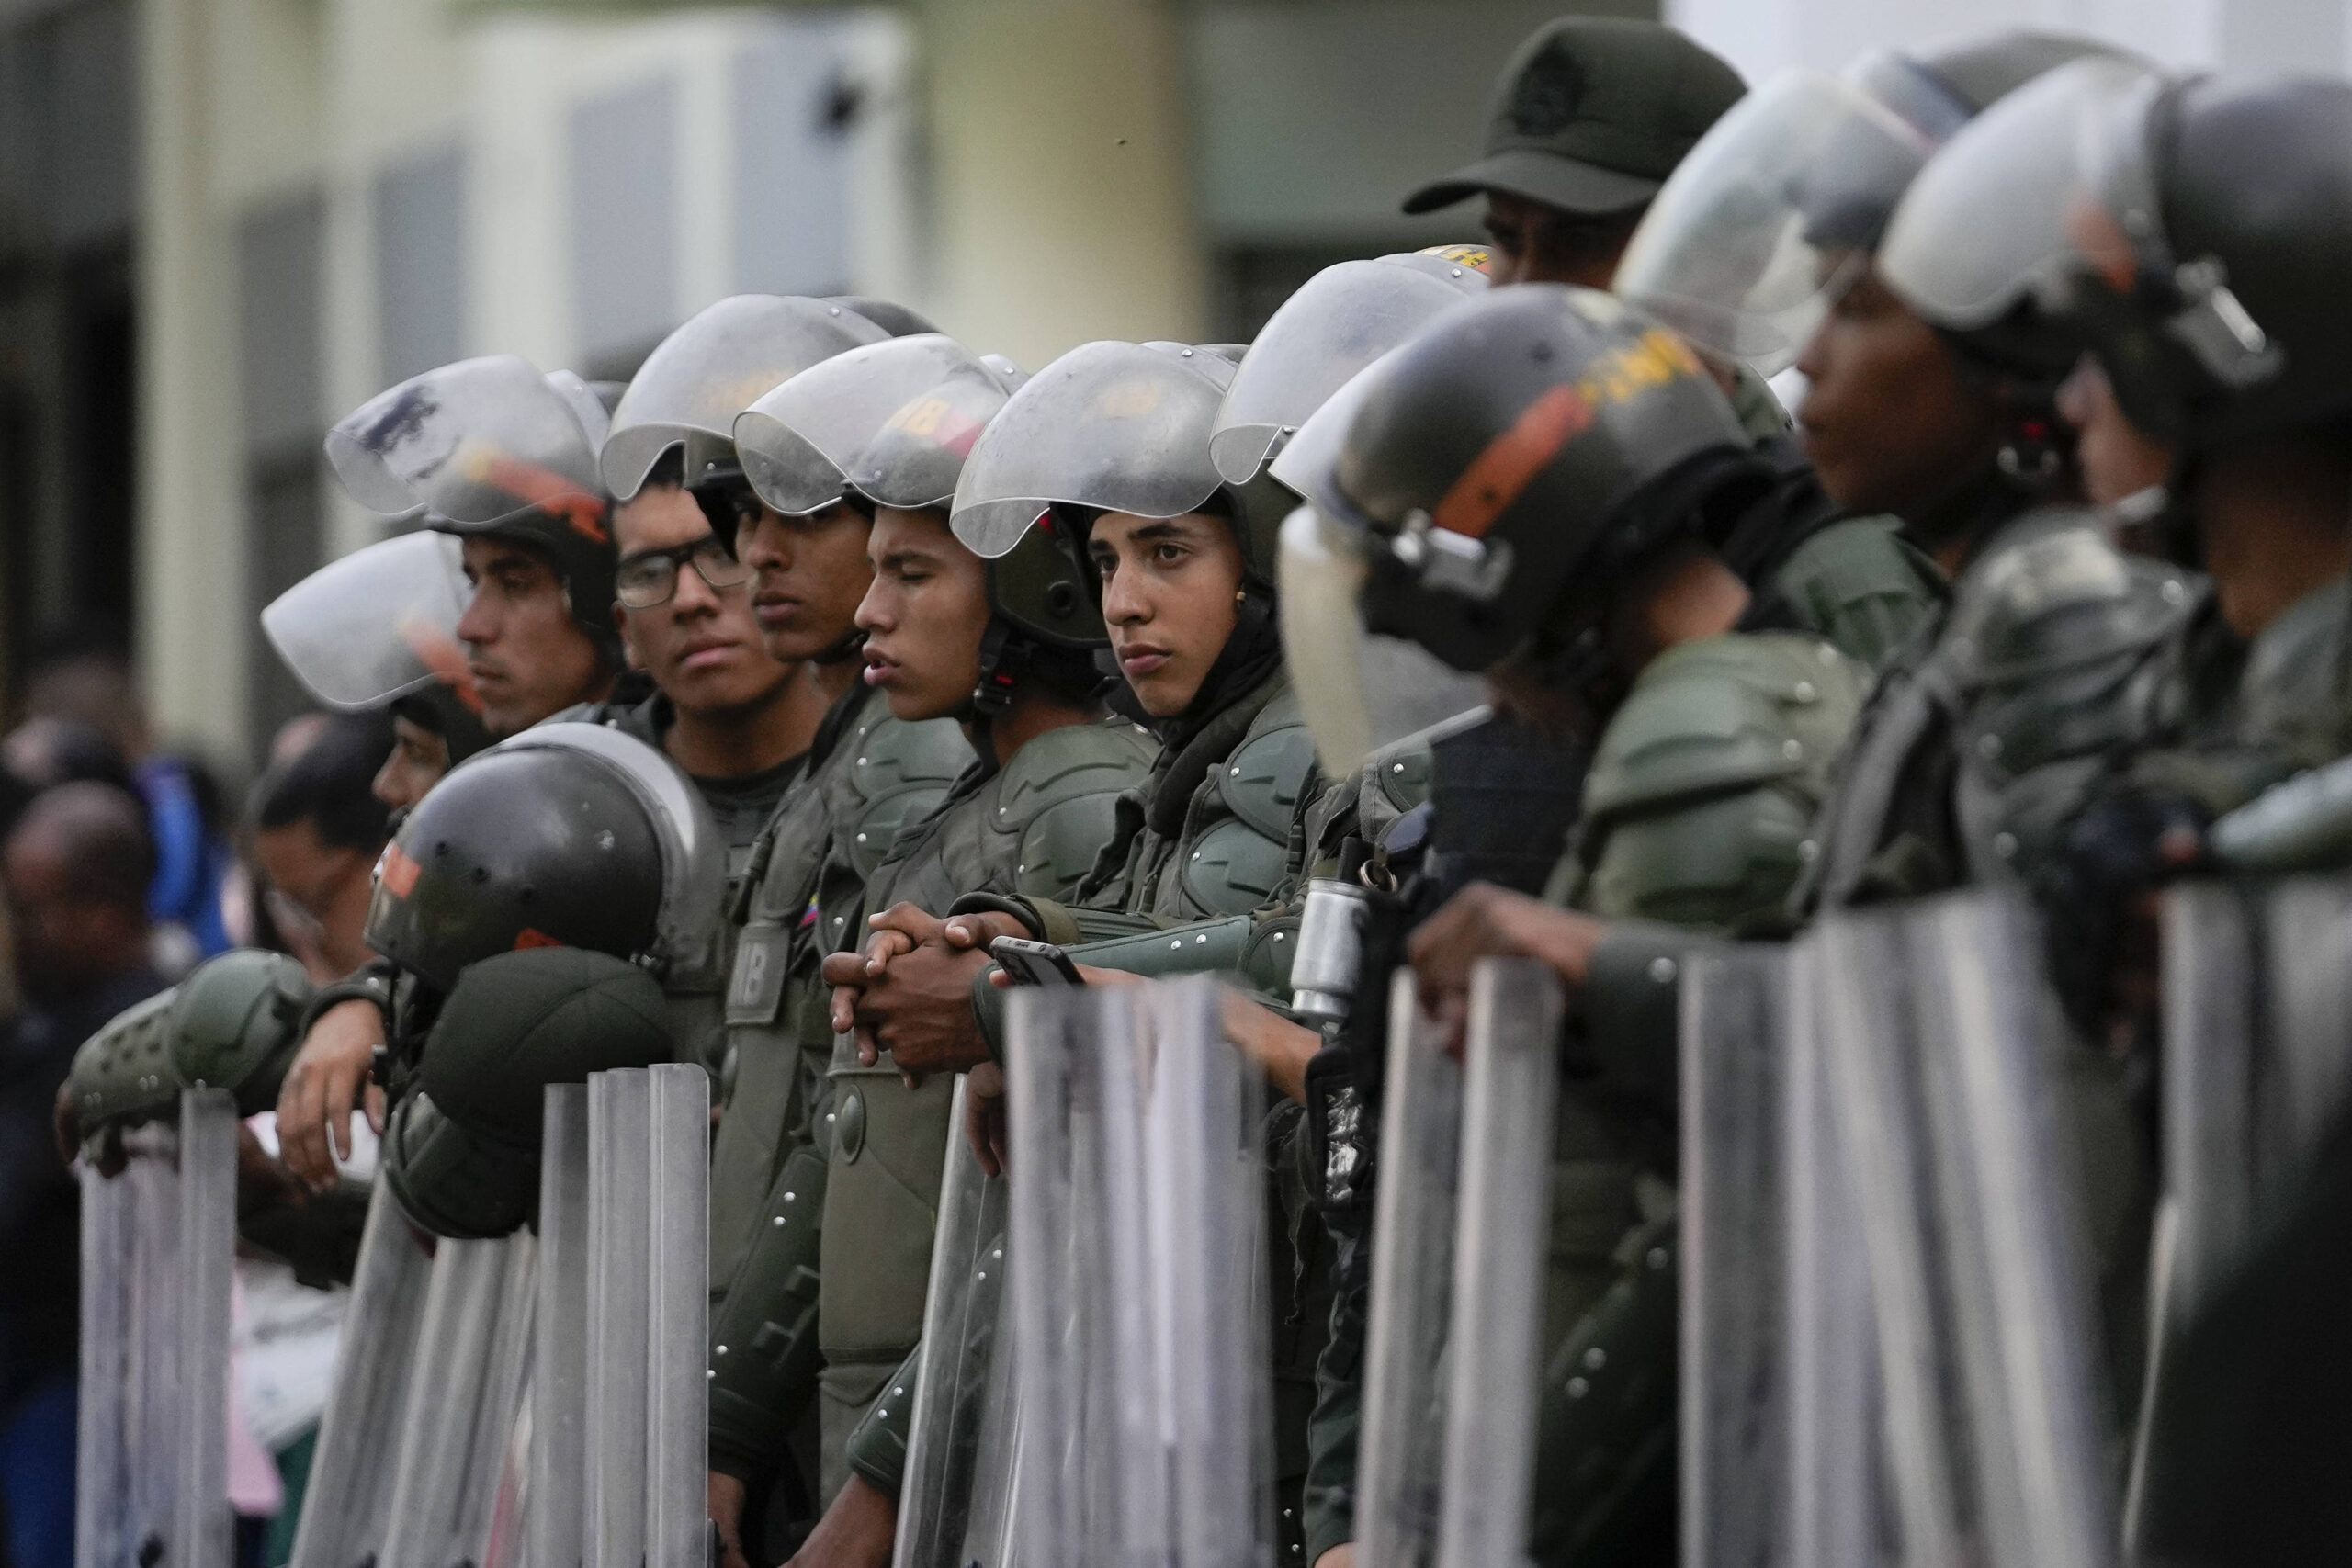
[1591, 116]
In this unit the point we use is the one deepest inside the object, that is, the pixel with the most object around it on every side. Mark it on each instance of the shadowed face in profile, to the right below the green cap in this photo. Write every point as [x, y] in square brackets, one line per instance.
[1887, 420]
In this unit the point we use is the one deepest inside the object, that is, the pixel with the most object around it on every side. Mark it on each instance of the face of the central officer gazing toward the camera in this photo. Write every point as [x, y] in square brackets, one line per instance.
[1170, 601]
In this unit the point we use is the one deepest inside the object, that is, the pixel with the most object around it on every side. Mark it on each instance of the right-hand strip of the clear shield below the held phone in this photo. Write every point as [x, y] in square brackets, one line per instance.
[1205, 1191]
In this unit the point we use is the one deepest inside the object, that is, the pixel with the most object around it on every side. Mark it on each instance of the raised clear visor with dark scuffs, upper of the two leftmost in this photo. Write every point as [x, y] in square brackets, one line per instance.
[474, 443]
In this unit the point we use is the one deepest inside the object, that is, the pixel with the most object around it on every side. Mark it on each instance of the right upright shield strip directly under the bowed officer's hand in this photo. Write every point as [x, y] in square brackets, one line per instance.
[1499, 1264]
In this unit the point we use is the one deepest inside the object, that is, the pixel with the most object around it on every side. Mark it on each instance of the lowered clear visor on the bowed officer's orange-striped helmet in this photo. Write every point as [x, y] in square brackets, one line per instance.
[1356, 690]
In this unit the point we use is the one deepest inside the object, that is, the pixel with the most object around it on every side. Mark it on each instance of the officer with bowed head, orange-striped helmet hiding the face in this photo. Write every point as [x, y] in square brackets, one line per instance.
[1582, 579]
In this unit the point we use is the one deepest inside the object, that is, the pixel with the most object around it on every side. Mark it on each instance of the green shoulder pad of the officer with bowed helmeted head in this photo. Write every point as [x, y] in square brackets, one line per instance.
[1725, 713]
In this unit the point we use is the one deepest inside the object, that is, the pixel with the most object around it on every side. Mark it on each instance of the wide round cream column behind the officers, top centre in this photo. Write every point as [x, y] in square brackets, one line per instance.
[1062, 175]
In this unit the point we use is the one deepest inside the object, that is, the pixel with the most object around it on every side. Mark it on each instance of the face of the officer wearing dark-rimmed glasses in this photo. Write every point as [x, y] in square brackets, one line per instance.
[702, 648]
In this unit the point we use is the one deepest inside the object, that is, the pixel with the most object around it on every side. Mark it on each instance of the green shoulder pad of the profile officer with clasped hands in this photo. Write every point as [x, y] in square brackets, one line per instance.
[1060, 796]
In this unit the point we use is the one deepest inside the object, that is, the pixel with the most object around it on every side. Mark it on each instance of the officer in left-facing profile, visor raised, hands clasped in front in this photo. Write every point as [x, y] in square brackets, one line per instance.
[1008, 652]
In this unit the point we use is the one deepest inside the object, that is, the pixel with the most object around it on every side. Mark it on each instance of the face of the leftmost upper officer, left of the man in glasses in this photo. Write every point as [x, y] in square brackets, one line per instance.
[523, 648]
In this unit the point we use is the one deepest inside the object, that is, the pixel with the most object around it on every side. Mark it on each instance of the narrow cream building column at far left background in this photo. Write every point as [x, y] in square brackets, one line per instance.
[192, 492]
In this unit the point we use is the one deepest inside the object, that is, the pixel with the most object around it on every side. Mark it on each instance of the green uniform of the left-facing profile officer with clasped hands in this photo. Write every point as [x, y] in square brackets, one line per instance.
[1034, 829]
